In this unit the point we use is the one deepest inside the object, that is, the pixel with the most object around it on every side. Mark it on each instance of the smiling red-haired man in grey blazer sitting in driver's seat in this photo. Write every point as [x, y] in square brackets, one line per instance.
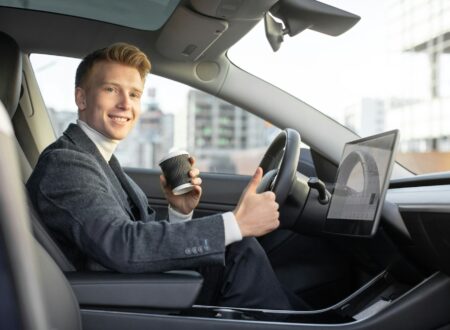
[101, 218]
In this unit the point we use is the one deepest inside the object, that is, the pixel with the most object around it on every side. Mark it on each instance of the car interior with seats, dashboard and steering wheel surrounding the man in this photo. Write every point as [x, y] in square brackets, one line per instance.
[393, 275]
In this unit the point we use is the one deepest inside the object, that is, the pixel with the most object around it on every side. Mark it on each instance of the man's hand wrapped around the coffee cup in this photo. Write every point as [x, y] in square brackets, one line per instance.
[187, 202]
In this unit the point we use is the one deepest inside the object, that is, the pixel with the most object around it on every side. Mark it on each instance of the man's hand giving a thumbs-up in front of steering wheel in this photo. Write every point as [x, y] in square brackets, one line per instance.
[256, 214]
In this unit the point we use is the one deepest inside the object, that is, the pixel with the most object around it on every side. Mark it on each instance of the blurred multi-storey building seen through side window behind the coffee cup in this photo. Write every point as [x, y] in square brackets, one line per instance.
[224, 138]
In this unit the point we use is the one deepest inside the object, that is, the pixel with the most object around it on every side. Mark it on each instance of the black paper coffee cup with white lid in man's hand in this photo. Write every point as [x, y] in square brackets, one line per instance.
[175, 167]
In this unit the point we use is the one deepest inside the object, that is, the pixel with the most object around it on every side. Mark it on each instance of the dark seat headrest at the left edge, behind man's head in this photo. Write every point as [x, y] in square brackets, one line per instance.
[10, 73]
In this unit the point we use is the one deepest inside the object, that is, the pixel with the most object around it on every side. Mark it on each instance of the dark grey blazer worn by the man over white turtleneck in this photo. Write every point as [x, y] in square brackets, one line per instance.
[87, 209]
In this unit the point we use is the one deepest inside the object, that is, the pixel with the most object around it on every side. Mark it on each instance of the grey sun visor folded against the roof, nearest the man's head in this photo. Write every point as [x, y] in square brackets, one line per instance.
[187, 35]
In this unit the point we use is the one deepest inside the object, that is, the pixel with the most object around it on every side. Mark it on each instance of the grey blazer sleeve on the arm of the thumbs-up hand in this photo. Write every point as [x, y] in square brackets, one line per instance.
[75, 198]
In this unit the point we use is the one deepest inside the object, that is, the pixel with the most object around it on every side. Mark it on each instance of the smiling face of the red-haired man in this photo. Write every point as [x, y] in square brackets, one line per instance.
[110, 99]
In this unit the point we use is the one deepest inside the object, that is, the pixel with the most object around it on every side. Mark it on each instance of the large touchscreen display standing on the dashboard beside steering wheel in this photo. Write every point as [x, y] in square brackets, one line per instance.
[361, 183]
